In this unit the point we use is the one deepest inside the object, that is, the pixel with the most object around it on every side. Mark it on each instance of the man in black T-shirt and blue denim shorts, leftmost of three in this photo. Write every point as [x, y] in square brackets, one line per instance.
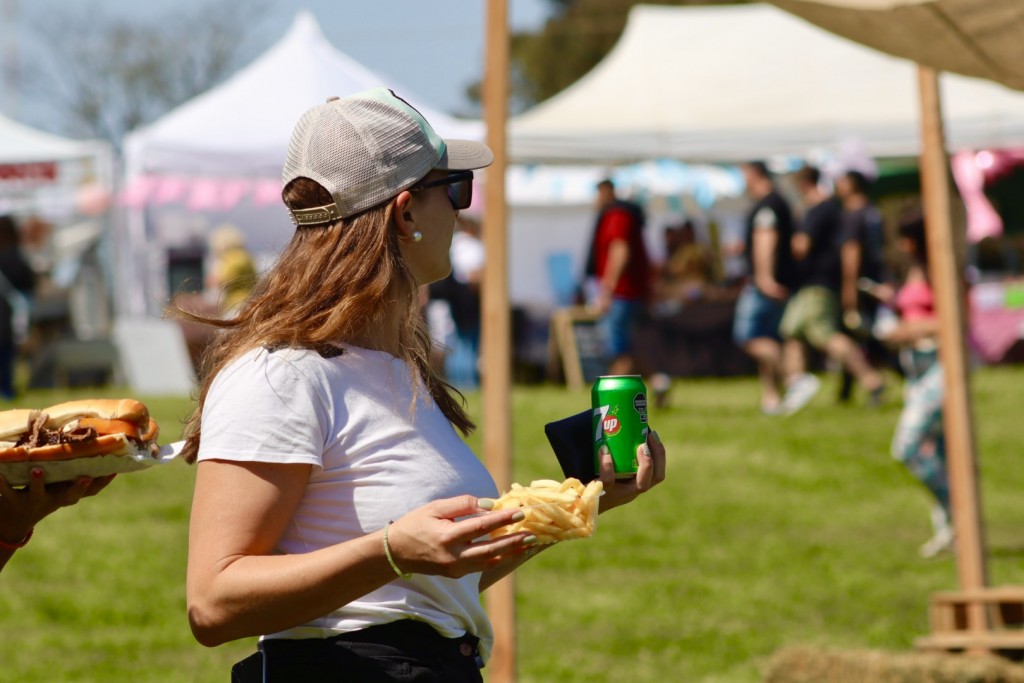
[770, 263]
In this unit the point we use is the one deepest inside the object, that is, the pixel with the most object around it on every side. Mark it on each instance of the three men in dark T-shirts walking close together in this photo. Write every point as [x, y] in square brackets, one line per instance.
[802, 291]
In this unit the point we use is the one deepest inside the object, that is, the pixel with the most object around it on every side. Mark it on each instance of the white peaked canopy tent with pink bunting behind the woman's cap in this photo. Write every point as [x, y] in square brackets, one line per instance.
[222, 155]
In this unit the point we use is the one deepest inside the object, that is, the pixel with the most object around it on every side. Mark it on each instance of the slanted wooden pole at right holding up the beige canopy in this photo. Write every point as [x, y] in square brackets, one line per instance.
[946, 250]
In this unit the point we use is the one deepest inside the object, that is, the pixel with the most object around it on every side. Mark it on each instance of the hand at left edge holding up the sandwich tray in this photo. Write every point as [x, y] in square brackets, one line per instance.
[23, 508]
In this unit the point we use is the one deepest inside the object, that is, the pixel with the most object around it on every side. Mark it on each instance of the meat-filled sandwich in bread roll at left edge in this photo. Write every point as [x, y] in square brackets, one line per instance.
[78, 430]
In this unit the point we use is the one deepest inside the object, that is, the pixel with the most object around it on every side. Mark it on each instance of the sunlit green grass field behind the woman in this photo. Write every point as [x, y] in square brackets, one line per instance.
[769, 533]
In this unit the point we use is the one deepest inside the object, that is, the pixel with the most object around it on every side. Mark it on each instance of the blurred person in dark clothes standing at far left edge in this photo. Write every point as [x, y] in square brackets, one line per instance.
[18, 281]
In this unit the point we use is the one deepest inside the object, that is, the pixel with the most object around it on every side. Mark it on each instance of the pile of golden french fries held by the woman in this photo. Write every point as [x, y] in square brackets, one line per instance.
[554, 510]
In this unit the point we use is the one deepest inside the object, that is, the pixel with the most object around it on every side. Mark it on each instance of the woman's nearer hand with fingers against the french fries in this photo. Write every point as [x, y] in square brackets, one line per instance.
[433, 539]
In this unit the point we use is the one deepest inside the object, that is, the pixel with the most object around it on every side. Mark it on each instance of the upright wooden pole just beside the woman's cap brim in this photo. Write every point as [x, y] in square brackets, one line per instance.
[497, 329]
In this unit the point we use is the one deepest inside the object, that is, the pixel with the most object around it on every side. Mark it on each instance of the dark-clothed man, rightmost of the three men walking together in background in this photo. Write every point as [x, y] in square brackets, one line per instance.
[863, 259]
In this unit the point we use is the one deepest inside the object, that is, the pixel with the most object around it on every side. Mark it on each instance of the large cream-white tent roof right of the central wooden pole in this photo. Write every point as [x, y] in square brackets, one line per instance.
[731, 83]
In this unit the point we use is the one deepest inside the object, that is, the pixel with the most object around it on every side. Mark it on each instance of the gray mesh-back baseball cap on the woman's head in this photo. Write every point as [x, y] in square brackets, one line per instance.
[366, 149]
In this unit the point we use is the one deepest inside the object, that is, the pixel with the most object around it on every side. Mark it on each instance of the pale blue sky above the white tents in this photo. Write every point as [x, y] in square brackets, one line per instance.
[434, 47]
